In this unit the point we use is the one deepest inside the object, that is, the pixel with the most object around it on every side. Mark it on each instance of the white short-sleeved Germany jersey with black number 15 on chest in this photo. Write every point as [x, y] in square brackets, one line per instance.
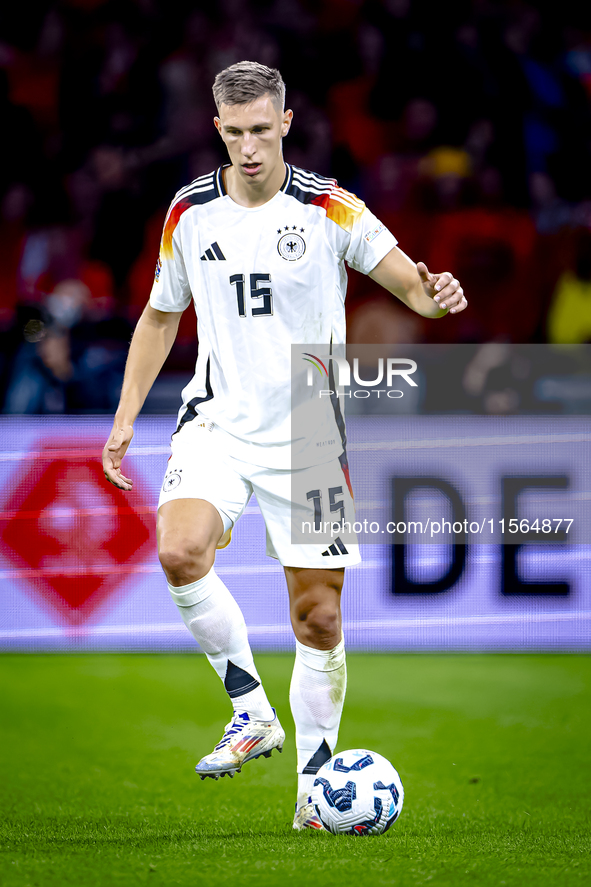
[263, 278]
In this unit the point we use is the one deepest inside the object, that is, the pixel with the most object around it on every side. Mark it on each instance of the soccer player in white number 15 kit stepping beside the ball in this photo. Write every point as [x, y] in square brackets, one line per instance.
[260, 247]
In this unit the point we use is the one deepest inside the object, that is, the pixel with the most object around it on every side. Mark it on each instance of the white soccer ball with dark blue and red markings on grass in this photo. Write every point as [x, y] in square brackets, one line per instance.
[357, 792]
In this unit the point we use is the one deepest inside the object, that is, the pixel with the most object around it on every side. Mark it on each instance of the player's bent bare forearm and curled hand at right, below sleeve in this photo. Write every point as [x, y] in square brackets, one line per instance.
[431, 295]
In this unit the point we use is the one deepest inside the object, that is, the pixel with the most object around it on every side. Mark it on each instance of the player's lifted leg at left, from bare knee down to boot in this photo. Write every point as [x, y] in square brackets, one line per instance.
[189, 530]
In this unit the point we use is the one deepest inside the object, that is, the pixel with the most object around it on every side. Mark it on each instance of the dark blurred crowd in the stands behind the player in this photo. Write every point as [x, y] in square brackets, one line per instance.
[465, 126]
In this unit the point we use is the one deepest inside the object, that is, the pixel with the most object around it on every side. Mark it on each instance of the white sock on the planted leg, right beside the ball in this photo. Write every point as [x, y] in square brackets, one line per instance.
[316, 695]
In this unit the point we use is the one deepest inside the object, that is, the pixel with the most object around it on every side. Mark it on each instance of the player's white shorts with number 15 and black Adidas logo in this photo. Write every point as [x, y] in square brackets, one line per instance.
[306, 503]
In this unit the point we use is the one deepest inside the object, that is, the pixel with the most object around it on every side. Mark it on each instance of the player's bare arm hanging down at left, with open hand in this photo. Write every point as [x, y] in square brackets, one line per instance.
[151, 343]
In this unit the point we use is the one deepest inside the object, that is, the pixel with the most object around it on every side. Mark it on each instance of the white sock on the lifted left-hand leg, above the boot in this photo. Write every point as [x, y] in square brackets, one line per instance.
[216, 622]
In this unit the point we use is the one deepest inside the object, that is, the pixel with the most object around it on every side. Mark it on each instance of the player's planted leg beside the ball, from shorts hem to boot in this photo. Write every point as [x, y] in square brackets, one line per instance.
[319, 679]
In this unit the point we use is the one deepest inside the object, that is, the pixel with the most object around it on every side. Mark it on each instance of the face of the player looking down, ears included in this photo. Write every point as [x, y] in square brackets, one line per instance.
[252, 134]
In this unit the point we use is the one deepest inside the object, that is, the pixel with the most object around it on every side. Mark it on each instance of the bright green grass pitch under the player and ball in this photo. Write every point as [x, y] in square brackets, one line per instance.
[98, 787]
